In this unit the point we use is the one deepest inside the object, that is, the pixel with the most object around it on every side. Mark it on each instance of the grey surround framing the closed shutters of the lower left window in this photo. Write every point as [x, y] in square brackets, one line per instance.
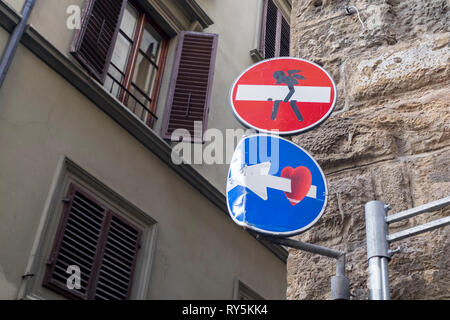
[66, 173]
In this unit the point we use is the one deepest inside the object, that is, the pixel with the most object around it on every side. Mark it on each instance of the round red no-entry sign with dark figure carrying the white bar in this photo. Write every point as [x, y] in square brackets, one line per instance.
[286, 94]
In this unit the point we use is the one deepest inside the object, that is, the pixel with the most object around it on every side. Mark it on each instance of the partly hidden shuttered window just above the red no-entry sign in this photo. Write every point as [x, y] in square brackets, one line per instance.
[275, 33]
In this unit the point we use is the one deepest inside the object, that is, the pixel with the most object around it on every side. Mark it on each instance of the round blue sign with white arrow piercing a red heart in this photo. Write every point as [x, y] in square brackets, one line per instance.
[274, 186]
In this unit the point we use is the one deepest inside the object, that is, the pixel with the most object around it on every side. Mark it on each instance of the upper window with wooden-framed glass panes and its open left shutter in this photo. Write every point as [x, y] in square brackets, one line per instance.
[125, 50]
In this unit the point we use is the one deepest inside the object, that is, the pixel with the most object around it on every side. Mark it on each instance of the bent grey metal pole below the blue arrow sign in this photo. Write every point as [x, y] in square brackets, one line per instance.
[340, 284]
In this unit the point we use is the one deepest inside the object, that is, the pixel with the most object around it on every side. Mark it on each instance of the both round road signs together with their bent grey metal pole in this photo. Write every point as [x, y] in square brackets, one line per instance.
[248, 182]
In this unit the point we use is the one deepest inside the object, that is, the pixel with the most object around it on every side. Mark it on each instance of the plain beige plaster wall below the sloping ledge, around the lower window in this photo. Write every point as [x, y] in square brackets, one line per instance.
[200, 251]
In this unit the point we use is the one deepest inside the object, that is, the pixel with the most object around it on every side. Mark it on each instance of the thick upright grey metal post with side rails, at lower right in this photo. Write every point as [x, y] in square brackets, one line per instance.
[377, 249]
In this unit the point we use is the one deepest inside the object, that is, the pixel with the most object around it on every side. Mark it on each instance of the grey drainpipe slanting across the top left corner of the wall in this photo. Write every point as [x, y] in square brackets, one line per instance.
[16, 36]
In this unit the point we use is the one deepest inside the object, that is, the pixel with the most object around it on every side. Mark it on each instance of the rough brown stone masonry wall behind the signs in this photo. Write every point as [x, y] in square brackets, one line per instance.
[388, 138]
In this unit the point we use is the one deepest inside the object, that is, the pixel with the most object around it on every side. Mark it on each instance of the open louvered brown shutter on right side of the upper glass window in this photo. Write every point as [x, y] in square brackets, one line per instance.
[191, 83]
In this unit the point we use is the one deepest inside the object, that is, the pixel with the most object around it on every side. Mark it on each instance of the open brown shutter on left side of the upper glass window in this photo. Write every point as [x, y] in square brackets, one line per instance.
[94, 42]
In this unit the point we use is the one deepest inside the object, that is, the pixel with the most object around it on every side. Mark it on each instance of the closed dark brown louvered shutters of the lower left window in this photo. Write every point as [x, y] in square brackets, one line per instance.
[101, 243]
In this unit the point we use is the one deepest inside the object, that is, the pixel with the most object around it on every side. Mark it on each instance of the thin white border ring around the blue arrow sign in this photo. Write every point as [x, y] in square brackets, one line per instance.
[280, 234]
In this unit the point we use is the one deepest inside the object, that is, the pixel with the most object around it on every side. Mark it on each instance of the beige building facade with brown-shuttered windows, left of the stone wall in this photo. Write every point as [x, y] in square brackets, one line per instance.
[88, 185]
